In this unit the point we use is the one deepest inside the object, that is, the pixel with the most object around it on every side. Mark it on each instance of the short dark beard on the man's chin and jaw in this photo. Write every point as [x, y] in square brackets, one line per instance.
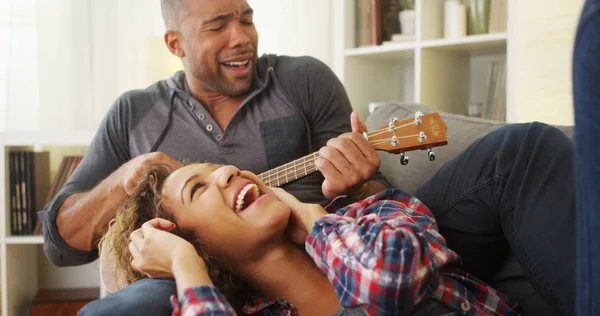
[217, 82]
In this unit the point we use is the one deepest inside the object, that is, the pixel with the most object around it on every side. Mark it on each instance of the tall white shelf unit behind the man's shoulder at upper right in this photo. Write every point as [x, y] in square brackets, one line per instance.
[445, 74]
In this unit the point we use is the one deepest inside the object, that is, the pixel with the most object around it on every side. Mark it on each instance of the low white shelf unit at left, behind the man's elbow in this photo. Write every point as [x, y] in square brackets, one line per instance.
[23, 265]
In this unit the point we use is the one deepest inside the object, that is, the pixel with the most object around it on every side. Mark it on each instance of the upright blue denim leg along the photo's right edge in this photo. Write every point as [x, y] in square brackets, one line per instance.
[586, 96]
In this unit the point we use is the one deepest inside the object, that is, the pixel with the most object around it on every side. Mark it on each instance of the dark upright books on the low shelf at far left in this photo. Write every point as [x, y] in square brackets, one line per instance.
[29, 174]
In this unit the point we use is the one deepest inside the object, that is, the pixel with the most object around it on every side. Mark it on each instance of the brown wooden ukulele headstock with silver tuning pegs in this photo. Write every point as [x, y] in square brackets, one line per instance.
[425, 131]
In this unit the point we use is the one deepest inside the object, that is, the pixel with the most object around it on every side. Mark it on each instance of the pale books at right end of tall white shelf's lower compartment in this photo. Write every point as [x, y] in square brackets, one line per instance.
[495, 104]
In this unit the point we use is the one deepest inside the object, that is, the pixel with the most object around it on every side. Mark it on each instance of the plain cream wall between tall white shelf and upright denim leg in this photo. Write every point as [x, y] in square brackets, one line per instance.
[543, 36]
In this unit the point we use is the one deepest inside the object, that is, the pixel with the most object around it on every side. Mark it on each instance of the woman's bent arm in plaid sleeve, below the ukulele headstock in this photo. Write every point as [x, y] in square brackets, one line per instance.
[382, 253]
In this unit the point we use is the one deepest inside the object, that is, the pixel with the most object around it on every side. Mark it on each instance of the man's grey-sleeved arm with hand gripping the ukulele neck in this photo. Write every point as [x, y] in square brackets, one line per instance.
[347, 161]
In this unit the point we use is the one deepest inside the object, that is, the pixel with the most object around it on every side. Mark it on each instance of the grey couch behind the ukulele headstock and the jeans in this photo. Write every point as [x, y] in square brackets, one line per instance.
[462, 131]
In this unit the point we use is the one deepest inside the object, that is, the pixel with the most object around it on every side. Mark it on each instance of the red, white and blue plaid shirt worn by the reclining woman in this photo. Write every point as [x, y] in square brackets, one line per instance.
[383, 254]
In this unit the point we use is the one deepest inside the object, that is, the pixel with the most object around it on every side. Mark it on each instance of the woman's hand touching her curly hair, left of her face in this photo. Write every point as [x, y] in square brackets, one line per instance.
[156, 251]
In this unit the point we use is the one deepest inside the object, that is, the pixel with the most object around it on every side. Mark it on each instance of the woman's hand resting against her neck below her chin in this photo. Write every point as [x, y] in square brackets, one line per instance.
[303, 216]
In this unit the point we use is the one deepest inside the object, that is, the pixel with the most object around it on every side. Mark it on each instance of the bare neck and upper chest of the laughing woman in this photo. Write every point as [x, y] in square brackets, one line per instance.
[288, 273]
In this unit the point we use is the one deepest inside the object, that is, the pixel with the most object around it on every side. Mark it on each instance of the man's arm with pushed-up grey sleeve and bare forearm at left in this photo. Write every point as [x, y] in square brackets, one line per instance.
[82, 199]
